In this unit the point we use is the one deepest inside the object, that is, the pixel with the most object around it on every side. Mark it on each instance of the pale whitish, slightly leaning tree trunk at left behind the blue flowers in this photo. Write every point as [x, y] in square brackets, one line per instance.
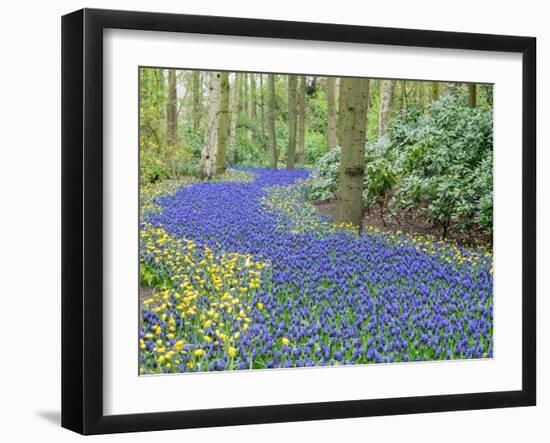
[208, 153]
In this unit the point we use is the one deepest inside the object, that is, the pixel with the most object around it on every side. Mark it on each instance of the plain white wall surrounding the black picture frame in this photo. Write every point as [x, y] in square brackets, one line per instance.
[30, 219]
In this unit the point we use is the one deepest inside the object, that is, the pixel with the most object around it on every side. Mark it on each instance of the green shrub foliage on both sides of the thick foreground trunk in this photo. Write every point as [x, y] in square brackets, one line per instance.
[438, 162]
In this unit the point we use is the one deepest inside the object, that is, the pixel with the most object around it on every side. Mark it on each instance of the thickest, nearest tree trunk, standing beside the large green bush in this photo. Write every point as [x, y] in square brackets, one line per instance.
[349, 207]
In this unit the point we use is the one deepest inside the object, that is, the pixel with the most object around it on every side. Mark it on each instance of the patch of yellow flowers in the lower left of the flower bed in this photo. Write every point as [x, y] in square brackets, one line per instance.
[204, 302]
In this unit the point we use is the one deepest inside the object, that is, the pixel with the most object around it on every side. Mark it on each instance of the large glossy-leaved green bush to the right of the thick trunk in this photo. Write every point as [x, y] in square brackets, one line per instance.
[446, 155]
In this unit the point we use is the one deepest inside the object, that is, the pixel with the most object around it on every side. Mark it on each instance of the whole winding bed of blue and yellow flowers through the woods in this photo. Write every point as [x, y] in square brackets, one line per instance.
[247, 275]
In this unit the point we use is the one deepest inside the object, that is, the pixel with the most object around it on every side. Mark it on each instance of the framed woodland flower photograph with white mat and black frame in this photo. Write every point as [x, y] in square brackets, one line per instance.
[269, 221]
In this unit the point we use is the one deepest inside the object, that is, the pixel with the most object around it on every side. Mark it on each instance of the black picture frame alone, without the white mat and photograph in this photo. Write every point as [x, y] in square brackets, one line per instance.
[82, 219]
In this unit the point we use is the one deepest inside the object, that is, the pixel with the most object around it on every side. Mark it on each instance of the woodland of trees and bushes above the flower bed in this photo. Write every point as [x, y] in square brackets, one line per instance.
[424, 149]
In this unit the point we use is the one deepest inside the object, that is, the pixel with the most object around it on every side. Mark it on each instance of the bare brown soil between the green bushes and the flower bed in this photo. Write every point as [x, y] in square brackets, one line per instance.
[408, 223]
